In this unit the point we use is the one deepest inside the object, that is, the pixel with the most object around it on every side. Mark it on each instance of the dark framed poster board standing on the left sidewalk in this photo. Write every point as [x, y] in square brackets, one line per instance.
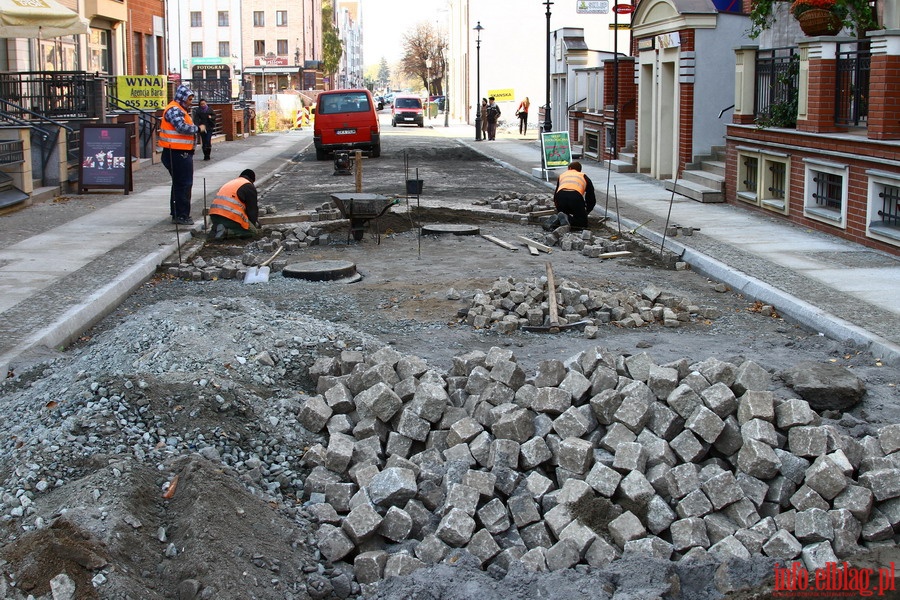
[105, 158]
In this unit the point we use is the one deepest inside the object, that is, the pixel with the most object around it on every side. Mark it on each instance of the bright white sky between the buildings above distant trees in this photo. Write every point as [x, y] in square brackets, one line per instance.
[386, 21]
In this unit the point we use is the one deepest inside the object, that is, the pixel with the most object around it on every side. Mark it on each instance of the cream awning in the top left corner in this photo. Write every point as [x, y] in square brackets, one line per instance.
[39, 19]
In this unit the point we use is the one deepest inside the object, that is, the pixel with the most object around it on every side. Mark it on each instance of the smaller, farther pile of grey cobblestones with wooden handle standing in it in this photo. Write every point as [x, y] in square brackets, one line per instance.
[511, 304]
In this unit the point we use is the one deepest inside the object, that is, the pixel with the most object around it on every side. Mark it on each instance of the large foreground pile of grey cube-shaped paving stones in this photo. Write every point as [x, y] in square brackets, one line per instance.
[582, 463]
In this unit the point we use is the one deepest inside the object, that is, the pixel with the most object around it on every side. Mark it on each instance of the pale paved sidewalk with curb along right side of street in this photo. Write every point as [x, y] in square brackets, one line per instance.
[840, 289]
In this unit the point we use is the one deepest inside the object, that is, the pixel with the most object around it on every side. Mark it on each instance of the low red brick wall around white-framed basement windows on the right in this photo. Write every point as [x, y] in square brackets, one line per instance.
[859, 154]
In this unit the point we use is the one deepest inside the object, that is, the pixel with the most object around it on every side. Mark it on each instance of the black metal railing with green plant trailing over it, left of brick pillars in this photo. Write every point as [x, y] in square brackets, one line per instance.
[777, 87]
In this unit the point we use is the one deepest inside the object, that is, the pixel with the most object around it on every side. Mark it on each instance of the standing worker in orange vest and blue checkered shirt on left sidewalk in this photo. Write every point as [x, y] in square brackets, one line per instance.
[177, 137]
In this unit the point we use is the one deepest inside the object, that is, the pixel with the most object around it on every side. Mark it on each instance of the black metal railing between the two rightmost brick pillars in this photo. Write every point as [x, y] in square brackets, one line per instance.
[851, 105]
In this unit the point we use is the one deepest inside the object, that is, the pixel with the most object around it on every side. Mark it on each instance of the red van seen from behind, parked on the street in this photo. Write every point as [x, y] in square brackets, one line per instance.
[346, 120]
